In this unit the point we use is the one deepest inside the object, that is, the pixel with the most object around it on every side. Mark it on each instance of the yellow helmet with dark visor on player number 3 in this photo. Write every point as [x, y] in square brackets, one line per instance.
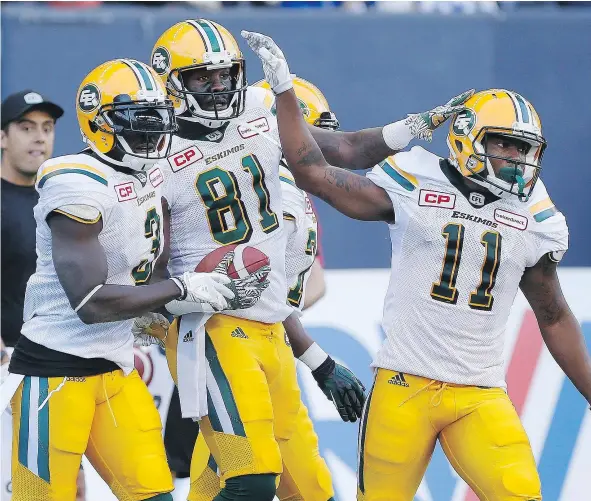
[123, 112]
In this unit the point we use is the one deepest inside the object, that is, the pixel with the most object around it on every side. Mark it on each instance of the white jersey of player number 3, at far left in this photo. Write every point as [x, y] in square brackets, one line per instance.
[132, 237]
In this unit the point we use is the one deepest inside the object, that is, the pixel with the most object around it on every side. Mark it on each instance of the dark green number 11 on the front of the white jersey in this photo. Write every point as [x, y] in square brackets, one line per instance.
[445, 290]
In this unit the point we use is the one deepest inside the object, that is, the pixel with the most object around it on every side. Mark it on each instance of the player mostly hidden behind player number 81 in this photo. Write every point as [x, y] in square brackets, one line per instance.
[305, 474]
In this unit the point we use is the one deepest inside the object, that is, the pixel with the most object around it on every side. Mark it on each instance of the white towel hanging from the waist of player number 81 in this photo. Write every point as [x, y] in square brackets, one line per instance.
[191, 365]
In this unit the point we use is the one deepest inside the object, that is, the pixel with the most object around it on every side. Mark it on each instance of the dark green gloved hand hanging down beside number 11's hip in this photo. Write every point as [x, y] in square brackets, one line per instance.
[341, 386]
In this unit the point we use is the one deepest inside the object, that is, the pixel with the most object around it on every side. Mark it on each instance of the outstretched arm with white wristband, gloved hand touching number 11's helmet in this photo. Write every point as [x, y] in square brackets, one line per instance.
[365, 148]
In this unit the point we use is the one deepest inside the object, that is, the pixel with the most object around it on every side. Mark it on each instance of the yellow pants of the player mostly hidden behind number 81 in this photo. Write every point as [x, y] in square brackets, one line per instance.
[305, 475]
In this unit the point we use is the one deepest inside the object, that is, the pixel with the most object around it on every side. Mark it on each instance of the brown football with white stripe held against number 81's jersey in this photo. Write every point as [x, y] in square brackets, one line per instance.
[247, 261]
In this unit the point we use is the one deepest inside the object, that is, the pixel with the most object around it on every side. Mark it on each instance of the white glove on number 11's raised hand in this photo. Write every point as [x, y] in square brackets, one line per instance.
[275, 66]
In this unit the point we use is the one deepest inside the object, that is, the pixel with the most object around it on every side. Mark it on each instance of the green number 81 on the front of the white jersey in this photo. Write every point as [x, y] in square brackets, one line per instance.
[220, 193]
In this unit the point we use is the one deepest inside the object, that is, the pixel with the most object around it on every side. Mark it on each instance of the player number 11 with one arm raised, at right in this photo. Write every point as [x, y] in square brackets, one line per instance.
[467, 232]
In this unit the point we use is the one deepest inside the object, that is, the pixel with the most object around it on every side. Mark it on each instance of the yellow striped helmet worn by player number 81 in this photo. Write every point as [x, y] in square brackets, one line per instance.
[196, 44]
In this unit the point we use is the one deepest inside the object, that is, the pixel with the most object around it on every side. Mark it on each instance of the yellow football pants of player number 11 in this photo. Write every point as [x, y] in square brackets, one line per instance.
[479, 430]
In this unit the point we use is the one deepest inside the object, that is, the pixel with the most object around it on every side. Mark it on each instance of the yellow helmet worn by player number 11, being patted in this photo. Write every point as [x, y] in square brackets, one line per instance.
[499, 112]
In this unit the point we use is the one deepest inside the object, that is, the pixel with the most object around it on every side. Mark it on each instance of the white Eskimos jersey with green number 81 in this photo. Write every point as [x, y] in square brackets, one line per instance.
[222, 189]
